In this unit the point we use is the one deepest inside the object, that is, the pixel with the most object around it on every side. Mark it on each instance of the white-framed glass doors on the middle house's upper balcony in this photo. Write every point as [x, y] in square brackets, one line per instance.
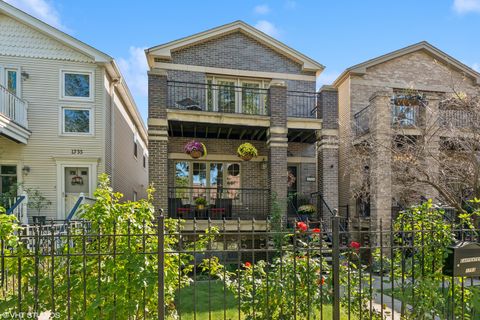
[236, 95]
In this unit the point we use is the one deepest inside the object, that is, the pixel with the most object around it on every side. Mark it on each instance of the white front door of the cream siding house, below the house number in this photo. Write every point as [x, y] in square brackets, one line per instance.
[76, 181]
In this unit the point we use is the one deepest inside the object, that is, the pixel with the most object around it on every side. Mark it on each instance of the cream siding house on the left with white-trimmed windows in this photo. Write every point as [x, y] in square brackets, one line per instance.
[45, 156]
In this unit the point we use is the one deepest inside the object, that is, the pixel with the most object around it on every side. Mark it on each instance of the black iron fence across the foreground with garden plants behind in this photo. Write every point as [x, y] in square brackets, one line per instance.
[235, 270]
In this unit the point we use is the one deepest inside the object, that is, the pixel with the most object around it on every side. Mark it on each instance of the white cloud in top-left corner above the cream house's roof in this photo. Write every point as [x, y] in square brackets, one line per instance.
[41, 9]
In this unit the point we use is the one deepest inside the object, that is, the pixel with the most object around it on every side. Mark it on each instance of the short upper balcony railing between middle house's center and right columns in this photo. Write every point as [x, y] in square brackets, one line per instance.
[302, 104]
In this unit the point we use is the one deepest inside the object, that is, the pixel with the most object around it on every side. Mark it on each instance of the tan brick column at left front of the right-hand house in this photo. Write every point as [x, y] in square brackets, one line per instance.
[381, 170]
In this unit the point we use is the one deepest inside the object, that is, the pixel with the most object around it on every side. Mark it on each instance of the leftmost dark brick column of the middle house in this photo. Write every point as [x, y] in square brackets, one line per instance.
[158, 137]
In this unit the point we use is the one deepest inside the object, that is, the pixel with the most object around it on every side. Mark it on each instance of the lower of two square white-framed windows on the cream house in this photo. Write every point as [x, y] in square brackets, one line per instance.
[77, 120]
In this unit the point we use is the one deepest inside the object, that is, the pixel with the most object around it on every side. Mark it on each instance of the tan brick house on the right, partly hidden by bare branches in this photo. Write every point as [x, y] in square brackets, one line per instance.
[368, 109]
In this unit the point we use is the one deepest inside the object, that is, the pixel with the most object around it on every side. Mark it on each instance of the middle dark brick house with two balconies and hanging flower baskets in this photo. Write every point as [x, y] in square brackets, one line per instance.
[230, 85]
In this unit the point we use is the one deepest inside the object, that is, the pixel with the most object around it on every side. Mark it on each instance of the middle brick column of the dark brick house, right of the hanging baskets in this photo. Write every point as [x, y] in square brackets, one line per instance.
[277, 144]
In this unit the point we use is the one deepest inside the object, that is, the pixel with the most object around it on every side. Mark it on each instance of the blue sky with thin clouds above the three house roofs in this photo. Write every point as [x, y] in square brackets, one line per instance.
[338, 34]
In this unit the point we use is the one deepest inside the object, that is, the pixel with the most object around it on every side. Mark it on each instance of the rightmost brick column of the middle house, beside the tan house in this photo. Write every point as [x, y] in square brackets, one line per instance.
[327, 151]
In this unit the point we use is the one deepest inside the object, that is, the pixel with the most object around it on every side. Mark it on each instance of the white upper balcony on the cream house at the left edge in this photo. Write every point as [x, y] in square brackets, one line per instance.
[13, 116]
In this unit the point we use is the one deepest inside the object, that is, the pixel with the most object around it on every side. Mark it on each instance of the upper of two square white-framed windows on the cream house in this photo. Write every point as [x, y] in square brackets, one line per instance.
[77, 85]
